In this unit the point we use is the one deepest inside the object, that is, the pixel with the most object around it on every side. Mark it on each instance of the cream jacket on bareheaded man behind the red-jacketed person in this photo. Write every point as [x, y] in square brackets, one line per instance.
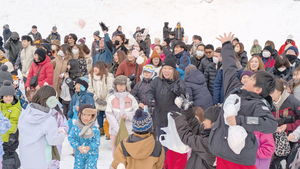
[27, 56]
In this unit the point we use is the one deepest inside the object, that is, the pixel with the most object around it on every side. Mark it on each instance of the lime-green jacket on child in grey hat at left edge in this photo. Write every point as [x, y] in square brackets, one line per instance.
[12, 113]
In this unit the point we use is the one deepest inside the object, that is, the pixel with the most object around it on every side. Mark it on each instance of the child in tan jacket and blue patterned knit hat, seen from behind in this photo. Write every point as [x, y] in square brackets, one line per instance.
[140, 150]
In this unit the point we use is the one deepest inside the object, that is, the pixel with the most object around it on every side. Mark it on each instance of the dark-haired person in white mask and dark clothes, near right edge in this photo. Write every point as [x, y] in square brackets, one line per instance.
[282, 69]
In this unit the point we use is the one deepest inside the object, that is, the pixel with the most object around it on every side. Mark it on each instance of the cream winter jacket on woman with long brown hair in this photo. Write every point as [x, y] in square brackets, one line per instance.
[100, 88]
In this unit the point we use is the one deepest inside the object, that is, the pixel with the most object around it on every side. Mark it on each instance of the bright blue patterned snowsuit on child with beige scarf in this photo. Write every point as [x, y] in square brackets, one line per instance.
[88, 160]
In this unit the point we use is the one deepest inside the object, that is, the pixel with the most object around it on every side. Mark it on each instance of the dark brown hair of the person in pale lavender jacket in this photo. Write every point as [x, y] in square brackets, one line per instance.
[41, 96]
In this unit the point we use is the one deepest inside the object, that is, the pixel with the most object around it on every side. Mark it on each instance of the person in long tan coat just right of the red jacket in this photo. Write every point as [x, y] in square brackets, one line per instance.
[60, 65]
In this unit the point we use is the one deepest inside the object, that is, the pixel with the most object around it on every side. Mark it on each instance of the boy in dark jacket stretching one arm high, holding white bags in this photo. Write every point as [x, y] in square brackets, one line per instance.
[253, 114]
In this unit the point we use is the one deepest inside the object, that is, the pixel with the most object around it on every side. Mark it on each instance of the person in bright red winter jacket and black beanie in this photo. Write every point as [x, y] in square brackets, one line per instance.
[42, 68]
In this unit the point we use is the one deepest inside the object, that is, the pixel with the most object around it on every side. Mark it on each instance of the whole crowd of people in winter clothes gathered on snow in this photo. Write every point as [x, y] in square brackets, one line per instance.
[233, 109]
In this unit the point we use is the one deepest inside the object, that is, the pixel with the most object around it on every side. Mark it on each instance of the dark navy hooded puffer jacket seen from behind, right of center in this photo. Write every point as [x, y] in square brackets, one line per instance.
[197, 89]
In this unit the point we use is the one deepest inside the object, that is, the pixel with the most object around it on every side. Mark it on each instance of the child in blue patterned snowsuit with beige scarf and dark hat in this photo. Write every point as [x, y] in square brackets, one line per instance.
[84, 137]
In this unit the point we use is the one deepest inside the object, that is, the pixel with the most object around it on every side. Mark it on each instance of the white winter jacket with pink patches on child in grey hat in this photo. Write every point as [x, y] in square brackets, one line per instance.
[119, 104]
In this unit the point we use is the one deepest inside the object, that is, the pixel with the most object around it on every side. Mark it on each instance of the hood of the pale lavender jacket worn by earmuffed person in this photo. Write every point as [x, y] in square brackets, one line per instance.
[37, 113]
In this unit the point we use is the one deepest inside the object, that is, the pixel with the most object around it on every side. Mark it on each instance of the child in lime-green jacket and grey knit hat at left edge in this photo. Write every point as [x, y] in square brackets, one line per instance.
[11, 109]
